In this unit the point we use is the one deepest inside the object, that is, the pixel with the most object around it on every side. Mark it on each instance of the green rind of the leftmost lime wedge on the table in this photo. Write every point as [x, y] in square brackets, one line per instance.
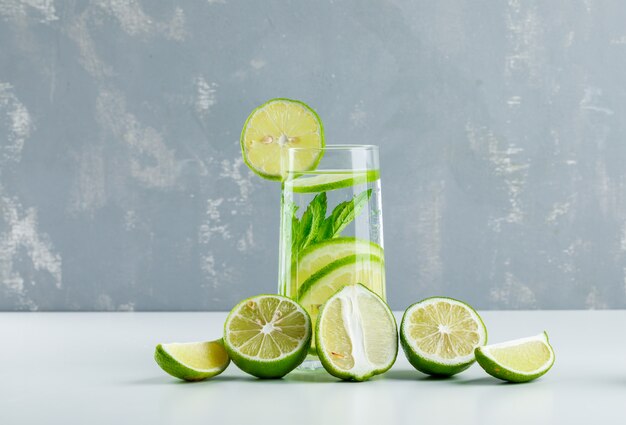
[180, 370]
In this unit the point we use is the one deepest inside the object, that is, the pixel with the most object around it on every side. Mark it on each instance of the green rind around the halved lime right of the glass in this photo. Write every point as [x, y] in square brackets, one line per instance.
[422, 362]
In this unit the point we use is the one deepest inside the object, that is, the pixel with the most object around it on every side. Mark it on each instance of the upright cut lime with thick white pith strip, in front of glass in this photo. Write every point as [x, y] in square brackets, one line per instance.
[356, 335]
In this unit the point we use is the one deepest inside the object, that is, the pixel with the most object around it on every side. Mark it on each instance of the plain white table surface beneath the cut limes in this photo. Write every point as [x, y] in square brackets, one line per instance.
[97, 368]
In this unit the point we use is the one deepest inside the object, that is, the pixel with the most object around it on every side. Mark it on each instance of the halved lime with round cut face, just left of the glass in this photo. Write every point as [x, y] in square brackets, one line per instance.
[268, 335]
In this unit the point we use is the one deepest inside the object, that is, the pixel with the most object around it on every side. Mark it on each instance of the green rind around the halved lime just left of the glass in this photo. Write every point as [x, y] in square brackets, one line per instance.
[268, 369]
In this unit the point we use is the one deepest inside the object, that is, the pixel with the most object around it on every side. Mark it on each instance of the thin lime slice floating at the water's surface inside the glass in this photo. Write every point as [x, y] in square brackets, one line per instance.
[331, 181]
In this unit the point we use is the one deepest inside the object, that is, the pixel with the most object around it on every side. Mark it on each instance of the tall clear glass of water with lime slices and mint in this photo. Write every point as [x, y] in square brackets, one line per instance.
[331, 231]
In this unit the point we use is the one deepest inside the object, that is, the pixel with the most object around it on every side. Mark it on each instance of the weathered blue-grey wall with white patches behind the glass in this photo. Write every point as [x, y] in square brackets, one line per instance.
[501, 128]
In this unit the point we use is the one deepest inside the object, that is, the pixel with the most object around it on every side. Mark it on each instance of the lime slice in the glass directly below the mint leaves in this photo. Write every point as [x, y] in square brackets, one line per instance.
[316, 257]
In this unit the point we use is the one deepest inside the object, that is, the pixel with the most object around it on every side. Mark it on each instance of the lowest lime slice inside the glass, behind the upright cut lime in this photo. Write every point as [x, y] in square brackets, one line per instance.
[361, 268]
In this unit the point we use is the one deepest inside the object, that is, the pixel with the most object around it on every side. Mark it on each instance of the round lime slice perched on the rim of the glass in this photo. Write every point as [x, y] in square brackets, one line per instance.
[276, 126]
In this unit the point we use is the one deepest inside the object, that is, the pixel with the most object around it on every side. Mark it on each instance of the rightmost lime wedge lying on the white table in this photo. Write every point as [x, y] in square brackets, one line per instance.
[520, 360]
